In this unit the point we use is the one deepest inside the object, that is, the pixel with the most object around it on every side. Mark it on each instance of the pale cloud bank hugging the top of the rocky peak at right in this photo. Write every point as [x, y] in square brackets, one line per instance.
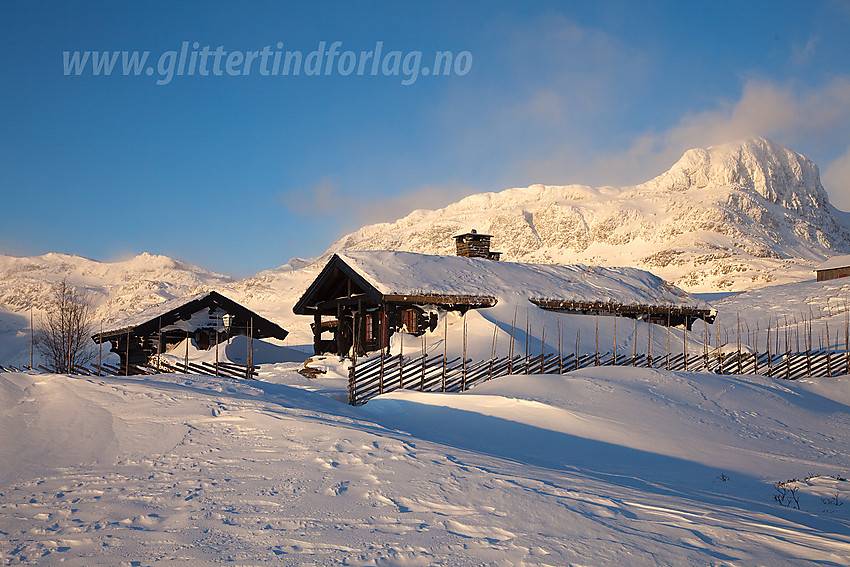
[809, 120]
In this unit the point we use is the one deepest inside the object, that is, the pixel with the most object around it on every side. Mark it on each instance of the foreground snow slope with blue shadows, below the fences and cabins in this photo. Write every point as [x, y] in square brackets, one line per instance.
[601, 467]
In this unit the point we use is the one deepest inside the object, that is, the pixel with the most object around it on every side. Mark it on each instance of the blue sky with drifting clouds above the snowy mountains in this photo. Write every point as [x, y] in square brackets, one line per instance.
[240, 173]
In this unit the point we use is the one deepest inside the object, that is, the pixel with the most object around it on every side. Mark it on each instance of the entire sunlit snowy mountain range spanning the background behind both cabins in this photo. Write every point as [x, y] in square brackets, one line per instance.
[732, 217]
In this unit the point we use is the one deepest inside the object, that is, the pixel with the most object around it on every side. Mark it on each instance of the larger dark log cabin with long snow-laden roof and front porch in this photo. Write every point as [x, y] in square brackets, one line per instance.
[364, 297]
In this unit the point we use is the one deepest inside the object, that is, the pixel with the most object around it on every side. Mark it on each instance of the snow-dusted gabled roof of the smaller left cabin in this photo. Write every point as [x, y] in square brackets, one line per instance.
[181, 308]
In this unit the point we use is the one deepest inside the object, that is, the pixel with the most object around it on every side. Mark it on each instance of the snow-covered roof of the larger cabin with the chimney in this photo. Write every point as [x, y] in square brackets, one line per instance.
[393, 273]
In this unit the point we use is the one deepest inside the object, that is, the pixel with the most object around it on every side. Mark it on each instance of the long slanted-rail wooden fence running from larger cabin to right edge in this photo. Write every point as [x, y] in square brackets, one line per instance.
[384, 373]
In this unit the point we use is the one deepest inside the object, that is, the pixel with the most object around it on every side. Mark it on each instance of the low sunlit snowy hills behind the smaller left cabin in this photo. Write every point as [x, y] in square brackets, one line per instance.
[121, 290]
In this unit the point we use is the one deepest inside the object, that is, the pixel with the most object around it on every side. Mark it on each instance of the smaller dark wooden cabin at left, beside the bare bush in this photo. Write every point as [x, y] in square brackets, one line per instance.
[208, 319]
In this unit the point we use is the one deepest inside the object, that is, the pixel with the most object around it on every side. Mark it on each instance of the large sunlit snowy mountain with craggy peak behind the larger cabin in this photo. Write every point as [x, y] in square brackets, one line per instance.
[729, 217]
